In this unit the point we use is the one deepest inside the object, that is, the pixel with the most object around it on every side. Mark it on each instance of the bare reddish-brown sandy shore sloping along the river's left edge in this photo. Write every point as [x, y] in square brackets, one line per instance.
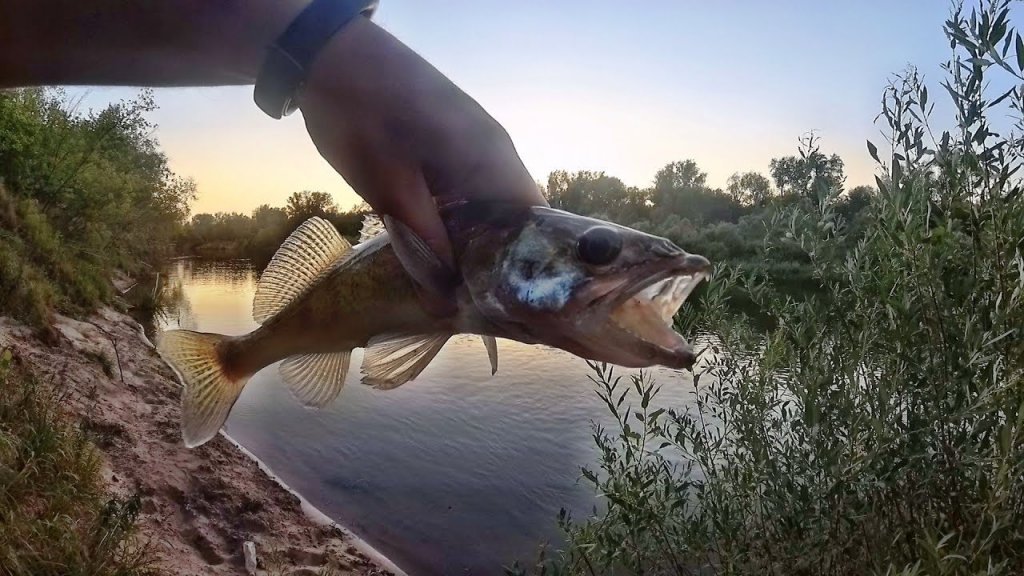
[199, 506]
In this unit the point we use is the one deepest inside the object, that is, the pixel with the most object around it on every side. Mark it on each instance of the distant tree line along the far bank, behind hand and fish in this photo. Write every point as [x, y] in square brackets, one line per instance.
[727, 226]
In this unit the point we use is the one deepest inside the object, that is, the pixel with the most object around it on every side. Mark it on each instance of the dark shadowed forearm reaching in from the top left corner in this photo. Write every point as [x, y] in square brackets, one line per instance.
[138, 43]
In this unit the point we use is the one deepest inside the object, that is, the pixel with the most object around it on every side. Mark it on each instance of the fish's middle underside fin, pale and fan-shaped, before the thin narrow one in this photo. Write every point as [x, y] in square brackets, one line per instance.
[393, 360]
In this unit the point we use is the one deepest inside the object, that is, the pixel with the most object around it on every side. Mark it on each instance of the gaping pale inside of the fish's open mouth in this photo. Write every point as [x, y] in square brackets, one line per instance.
[648, 314]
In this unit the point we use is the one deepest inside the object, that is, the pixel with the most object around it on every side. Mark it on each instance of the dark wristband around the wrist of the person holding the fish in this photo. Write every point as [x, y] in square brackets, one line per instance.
[289, 59]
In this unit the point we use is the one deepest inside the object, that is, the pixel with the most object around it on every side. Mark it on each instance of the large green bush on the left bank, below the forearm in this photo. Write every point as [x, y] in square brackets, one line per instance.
[81, 196]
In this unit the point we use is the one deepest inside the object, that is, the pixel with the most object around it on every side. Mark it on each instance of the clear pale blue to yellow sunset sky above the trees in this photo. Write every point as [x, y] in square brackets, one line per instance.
[598, 86]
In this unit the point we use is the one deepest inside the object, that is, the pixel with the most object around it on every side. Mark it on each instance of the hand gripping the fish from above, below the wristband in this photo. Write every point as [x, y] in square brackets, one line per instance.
[403, 135]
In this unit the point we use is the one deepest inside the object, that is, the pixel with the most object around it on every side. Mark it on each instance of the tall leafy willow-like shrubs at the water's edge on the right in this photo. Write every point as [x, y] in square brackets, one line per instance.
[878, 427]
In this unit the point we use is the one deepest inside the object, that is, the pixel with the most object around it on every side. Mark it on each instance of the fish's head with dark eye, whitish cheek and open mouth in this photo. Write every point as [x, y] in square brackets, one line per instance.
[600, 291]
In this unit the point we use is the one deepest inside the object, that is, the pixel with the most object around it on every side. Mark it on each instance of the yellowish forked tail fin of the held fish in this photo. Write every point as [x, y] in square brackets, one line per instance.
[209, 394]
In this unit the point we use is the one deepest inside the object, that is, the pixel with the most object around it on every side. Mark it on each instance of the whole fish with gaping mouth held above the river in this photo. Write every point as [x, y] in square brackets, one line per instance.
[528, 273]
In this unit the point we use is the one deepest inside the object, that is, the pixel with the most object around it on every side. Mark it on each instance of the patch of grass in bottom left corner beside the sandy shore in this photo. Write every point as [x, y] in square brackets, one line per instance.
[56, 515]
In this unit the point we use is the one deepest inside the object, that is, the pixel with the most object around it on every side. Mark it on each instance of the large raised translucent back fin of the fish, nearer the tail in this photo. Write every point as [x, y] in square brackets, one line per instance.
[305, 256]
